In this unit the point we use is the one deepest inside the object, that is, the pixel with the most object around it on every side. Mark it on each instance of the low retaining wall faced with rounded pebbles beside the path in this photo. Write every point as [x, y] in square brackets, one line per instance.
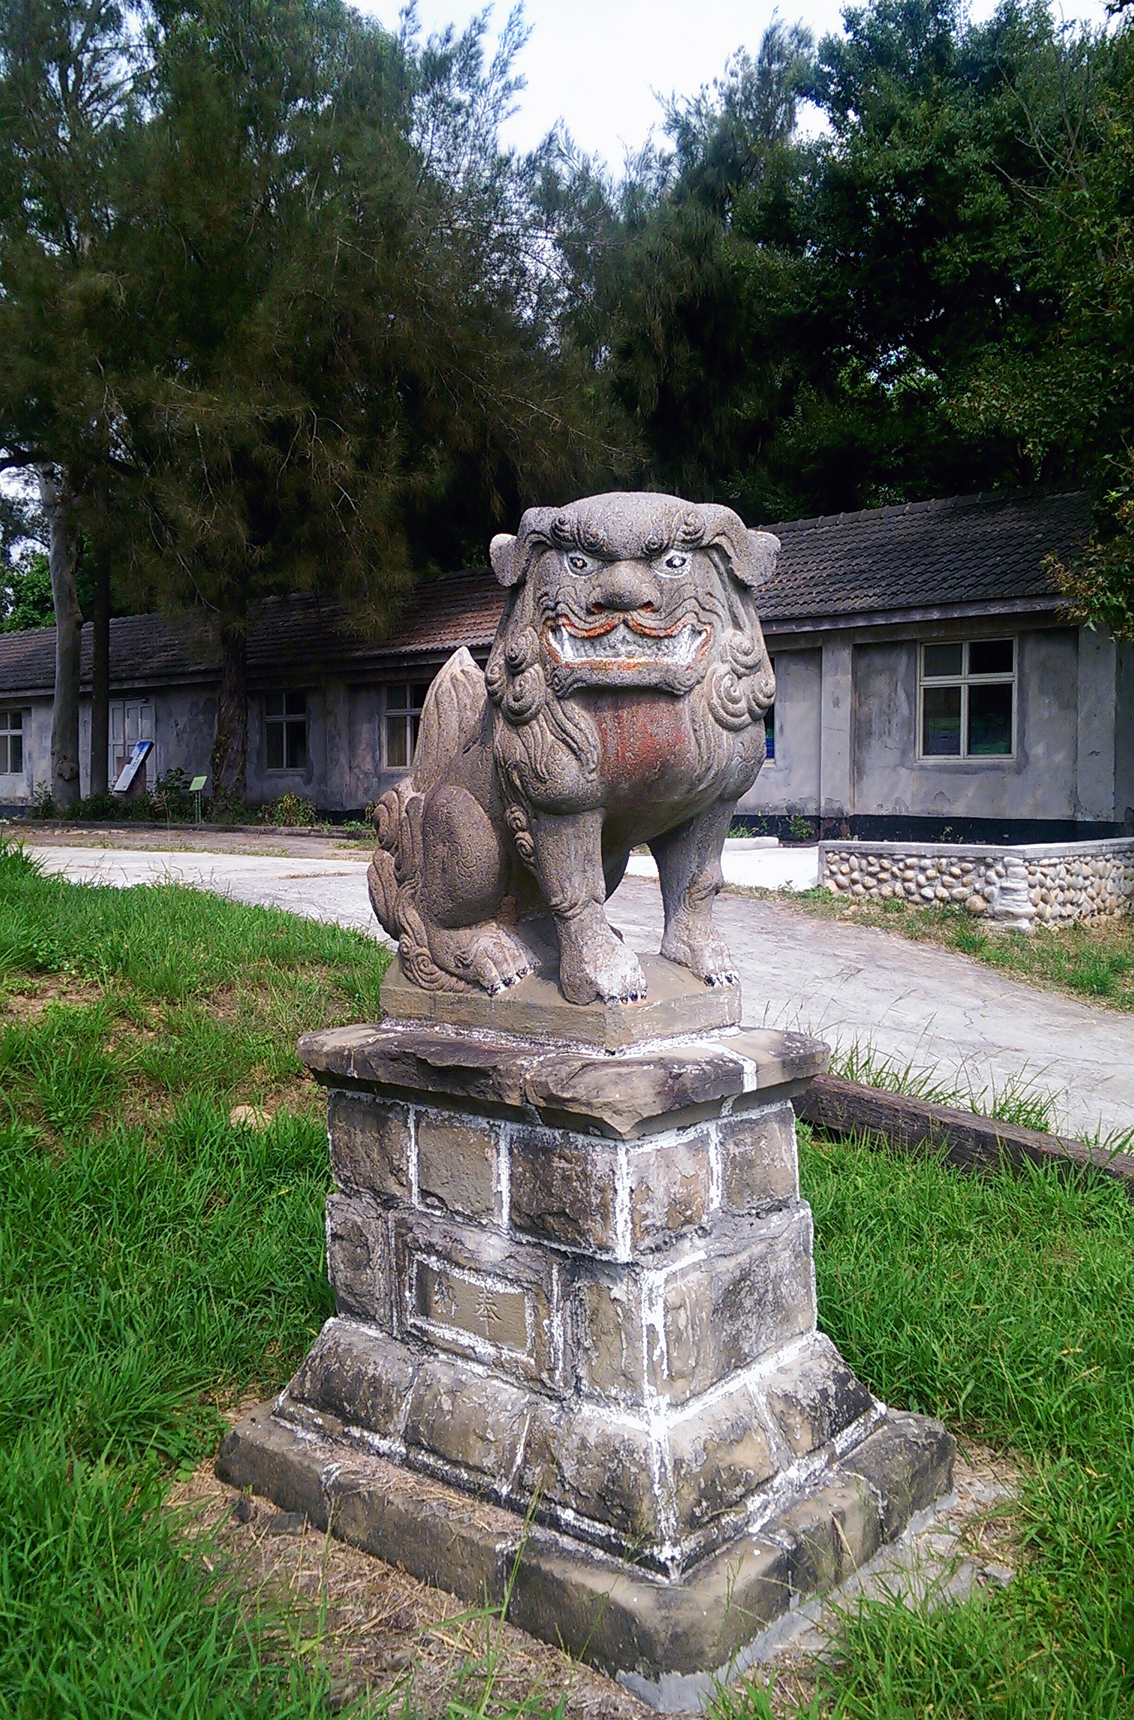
[1016, 885]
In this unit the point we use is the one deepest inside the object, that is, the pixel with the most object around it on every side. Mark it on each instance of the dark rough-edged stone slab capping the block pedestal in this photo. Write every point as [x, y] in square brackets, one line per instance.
[608, 1093]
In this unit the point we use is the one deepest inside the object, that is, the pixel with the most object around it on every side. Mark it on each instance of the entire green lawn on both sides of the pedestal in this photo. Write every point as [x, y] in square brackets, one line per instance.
[157, 1265]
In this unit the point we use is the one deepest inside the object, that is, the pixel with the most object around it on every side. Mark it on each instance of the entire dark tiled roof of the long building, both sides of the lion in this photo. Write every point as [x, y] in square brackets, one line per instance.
[970, 550]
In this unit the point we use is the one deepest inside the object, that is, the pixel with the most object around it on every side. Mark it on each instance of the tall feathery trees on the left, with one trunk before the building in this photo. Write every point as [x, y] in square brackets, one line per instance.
[268, 304]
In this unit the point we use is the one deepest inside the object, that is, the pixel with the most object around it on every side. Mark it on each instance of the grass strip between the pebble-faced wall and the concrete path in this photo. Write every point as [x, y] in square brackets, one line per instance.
[1092, 962]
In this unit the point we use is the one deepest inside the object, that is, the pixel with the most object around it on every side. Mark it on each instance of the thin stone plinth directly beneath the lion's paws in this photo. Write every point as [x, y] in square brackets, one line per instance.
[677, 1004]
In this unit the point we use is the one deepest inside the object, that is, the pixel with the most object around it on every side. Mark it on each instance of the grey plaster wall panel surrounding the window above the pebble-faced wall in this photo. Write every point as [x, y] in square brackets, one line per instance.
[1040, 783]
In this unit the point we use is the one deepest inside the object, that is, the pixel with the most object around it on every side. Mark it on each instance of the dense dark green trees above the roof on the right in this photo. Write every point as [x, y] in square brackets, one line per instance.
[889, 312]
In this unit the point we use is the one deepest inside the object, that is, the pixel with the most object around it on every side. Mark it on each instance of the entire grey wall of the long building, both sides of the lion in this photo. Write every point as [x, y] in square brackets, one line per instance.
[846, 739]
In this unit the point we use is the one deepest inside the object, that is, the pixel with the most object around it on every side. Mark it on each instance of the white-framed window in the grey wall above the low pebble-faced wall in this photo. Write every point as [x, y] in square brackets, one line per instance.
[968, 701]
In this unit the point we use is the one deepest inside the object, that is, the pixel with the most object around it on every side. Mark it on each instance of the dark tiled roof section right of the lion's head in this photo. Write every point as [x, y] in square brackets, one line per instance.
[970, 550]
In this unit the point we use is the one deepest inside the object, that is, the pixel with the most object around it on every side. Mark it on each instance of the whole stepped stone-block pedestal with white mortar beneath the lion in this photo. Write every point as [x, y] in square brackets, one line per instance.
[576, 1342]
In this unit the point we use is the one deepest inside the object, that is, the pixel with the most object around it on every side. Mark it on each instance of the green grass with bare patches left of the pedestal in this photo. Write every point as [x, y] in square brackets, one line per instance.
[154, 1263]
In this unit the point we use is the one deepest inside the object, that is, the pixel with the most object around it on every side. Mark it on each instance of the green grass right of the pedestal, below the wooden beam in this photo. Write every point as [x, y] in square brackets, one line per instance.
[1004, 1306]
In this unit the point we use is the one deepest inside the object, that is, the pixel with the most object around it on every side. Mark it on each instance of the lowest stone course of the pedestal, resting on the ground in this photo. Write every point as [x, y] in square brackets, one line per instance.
[667, 1640]
